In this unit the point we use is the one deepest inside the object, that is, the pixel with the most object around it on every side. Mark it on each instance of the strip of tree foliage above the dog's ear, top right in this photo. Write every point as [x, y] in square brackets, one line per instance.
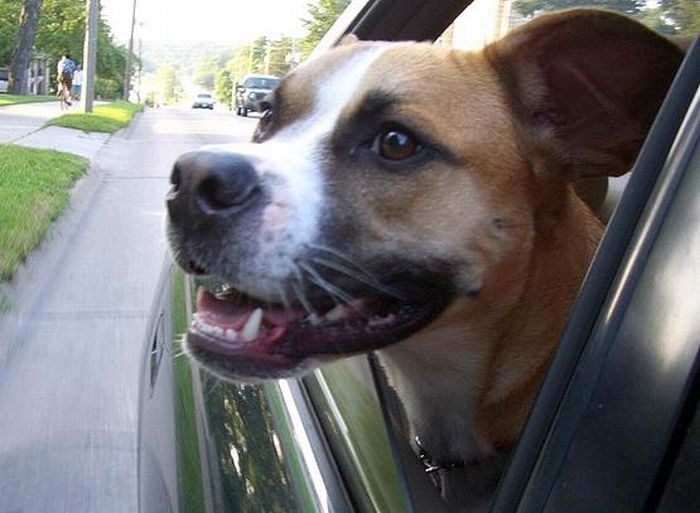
[671, 17]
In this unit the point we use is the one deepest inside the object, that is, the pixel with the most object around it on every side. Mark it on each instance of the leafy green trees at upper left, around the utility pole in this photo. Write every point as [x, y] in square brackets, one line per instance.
[58, 27]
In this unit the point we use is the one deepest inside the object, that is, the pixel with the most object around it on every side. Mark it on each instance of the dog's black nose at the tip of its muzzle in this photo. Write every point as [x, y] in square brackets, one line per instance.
[210, 184]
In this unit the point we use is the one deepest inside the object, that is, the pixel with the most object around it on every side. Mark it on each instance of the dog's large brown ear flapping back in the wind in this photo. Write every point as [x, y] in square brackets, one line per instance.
[585, 86]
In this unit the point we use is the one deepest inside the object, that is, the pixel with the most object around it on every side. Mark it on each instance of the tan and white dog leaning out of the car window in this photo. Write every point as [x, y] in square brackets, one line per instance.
[417, 201]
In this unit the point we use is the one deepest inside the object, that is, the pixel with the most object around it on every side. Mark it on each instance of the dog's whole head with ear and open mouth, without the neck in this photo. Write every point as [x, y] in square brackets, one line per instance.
[388, 181]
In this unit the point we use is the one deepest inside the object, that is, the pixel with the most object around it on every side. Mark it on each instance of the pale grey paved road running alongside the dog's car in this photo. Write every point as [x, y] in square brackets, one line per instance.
[71, 347]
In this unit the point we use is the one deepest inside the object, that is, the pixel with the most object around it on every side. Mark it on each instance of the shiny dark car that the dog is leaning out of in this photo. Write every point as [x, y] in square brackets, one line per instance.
[615, 427]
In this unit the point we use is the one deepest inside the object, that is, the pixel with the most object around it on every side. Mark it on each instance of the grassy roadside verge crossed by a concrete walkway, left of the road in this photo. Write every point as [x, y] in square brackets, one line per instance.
[38, 173]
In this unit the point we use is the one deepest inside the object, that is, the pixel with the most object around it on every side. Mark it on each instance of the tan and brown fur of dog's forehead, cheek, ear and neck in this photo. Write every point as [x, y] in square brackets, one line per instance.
[520, 121]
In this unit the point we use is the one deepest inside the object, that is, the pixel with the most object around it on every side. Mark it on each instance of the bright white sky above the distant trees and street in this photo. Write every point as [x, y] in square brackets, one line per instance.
[219, 21]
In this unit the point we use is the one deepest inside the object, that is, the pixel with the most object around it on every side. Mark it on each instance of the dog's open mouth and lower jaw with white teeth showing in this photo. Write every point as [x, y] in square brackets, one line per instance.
[240, 337]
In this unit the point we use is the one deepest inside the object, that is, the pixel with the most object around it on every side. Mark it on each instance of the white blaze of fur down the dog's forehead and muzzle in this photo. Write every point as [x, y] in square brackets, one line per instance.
[289, 165]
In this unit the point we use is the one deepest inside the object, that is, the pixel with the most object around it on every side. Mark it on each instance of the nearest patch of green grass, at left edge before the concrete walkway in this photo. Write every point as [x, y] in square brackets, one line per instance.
[34, 189]
